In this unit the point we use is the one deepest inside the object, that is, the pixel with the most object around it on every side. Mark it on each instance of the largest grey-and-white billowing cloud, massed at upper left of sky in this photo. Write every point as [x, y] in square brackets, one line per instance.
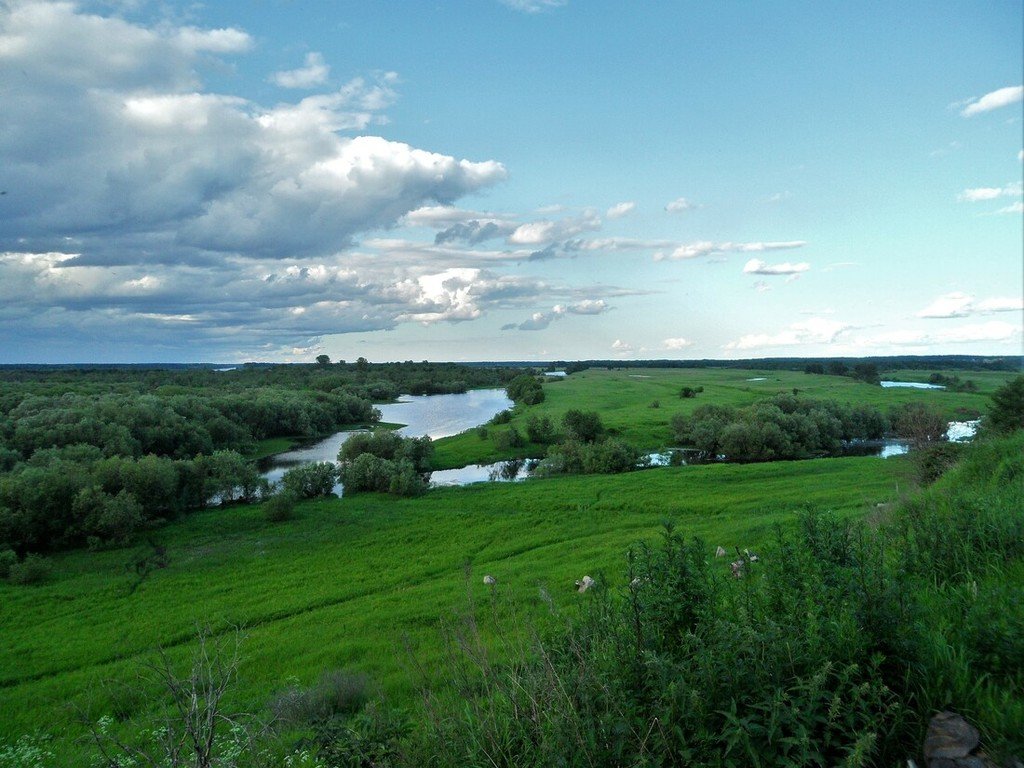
[101, 147]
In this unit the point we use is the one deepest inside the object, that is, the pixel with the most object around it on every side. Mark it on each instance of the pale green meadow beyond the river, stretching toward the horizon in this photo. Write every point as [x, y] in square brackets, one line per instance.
[625, 400]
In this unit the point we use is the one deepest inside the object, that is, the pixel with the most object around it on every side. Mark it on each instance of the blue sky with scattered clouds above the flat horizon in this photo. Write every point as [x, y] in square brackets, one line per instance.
[509, 180]
